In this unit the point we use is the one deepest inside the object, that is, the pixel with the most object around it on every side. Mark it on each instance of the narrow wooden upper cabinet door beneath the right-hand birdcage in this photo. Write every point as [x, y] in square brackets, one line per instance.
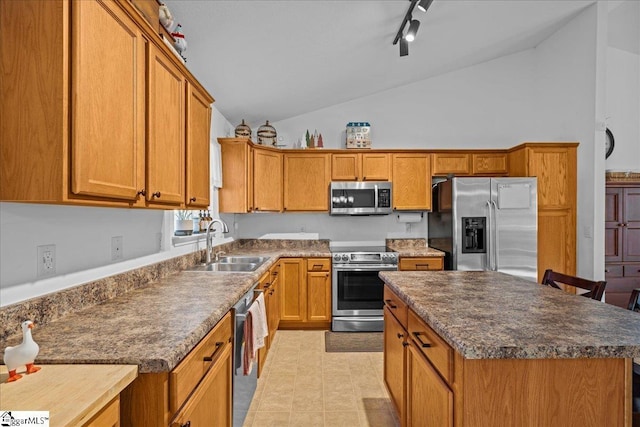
[267, 180]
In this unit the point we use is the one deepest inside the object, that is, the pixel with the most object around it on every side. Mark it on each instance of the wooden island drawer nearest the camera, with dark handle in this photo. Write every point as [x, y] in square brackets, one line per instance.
[439, 353]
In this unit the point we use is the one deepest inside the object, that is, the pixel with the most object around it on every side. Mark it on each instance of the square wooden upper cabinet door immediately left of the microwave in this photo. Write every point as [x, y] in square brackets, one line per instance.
[306, 181]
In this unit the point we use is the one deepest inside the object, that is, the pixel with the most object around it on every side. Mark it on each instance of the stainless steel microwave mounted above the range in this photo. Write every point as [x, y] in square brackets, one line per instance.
[360, 198]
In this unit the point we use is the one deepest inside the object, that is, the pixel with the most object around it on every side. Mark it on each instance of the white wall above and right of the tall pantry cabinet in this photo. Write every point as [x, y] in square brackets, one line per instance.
[566, 95]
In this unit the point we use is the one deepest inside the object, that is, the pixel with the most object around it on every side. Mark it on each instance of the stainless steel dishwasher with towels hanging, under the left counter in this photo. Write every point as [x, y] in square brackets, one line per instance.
[244, 386]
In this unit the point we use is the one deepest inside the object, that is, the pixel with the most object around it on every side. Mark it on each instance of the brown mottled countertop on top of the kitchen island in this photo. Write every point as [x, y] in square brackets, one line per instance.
[491, 315]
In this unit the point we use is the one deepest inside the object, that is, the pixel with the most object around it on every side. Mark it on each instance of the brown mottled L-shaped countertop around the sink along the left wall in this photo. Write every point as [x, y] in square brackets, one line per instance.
[154, 326]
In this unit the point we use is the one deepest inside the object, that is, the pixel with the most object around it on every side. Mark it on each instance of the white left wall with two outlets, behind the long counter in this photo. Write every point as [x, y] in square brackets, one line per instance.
[82, 236]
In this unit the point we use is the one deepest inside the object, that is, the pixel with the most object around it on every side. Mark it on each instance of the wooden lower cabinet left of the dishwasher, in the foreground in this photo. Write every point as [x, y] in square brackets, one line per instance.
[198, 390]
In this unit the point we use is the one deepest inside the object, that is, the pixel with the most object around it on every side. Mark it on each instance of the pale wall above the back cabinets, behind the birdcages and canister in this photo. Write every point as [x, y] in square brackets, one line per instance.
[485, 105]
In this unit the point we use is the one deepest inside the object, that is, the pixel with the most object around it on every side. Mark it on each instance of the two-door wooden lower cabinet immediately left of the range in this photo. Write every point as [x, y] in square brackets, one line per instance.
[306, 293]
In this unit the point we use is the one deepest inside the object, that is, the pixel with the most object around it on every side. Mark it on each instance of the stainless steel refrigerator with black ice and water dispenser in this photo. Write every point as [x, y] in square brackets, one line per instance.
[487, 224]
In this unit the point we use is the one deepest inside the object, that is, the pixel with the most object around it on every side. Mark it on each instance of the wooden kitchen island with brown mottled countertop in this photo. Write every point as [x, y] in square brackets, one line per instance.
[489, 349]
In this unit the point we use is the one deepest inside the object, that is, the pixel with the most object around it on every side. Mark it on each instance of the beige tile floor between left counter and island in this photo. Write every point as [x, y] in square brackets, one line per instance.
[302, 385]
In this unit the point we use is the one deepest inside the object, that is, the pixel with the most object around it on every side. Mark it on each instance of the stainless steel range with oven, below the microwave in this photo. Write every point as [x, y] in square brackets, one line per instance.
[357, 291]
